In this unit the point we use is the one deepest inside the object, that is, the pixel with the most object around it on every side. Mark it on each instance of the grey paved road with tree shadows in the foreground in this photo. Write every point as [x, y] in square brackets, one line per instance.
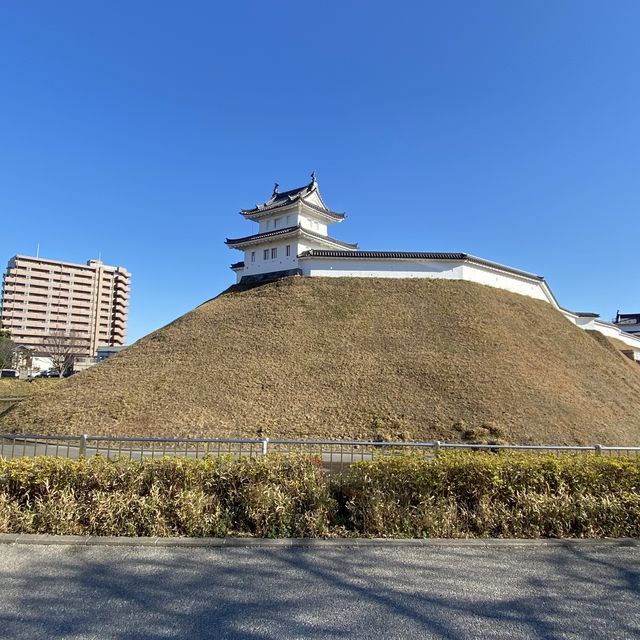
[457, 591]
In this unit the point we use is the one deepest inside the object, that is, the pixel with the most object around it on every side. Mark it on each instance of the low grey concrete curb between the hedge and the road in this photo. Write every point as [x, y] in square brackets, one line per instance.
[311, 543]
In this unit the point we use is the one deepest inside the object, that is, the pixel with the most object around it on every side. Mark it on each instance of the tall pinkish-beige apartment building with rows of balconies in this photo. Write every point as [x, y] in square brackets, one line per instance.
[42, 297]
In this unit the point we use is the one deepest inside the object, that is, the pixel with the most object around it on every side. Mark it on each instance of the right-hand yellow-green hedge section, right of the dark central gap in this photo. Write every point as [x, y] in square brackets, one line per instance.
[480, 495]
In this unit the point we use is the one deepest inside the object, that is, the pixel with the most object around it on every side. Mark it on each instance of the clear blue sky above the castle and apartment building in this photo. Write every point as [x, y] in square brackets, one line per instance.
[509, 130]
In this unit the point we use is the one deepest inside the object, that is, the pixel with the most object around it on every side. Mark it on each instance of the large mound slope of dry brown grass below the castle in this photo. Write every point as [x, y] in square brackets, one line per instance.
[355, 358]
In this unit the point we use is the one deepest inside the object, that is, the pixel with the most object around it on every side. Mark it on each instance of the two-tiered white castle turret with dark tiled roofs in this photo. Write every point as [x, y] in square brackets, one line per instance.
[291, 223]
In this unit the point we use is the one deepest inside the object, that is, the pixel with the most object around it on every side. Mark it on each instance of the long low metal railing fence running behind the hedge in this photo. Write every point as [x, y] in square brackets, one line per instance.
[336, 455]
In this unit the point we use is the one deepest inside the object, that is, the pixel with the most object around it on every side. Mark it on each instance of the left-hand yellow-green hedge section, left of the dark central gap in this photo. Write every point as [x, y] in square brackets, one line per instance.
[268, 496]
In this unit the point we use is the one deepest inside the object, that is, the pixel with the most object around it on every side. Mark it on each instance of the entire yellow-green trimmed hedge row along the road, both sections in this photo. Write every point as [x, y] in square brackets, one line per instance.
[455, 495]
